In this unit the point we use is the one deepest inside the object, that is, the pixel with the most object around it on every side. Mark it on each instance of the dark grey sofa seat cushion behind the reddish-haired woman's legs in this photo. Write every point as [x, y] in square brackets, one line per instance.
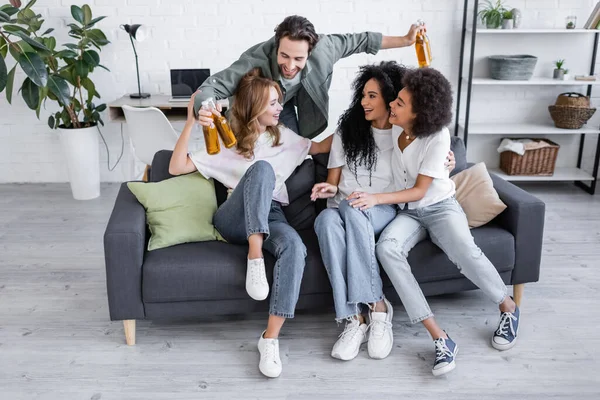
[216, 271]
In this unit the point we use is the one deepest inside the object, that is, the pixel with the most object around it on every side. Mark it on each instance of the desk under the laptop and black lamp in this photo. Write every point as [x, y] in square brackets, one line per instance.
[175, 111]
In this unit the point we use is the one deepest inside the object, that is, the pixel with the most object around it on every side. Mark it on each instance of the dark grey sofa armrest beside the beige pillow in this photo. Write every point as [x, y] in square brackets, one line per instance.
[524, 218]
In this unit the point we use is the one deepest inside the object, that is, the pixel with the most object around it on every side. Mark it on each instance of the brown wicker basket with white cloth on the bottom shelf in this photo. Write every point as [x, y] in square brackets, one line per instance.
[533, 162]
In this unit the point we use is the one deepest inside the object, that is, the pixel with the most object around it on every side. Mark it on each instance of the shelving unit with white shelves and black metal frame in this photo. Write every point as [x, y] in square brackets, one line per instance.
[487, 132]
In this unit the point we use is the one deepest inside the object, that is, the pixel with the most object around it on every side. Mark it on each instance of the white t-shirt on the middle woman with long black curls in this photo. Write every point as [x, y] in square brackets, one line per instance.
[381, 173]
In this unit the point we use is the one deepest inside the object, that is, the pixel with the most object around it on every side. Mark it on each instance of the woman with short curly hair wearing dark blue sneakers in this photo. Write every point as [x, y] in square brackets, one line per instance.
[425, 195]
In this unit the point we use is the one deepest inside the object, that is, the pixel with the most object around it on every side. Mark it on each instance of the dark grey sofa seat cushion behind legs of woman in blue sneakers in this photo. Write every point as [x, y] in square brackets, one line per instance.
[429, 263]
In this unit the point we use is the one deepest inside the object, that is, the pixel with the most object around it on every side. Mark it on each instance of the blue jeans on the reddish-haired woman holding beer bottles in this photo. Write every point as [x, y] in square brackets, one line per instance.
[251, 202]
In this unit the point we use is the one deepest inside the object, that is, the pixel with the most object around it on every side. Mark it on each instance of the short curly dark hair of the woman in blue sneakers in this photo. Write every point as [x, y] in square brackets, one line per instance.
[431, 100]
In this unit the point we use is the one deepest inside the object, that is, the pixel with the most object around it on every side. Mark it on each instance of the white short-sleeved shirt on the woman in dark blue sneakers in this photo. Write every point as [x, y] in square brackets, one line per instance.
[424, 156]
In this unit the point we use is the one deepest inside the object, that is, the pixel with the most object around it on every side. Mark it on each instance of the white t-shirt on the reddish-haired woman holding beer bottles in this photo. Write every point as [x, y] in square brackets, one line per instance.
[228, 166]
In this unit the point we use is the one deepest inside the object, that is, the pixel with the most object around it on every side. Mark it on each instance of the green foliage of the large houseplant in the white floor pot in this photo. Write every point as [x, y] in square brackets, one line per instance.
[58, 74]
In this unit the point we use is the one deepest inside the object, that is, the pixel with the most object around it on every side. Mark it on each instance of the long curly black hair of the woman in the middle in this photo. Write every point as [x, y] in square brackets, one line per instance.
[357, 139]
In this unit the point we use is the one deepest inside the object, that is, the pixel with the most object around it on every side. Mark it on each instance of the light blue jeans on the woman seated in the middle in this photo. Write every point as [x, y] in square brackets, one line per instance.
[347, 241]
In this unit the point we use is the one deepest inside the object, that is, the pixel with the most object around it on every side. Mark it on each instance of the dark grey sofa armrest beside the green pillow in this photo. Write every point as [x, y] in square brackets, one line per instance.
[124, 246]
